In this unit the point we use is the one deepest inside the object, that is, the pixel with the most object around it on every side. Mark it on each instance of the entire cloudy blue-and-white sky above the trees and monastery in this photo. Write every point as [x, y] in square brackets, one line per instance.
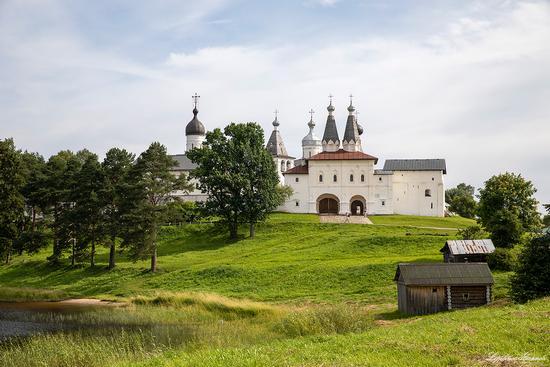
[464, 80]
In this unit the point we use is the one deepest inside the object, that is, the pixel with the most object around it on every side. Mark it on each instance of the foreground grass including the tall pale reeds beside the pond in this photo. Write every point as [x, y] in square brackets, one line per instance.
[206, 330]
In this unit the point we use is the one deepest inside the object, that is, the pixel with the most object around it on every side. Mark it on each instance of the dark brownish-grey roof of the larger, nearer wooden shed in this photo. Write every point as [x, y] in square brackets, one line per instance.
[444, 274]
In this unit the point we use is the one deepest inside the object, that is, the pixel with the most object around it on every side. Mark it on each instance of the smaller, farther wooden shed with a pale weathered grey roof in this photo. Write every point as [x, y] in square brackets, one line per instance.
[467, 251]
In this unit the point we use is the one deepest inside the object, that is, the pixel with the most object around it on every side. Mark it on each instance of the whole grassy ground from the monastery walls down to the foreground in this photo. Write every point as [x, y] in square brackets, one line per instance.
[299, 294]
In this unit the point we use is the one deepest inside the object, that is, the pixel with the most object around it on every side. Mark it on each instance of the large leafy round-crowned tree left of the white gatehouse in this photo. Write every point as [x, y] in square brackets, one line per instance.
[237, 173]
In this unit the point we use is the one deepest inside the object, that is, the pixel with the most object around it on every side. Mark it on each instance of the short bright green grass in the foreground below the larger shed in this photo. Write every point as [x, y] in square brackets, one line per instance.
[463, 338]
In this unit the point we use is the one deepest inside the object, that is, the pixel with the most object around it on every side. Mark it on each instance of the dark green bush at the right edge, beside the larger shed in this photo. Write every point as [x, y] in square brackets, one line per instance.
[532, 277]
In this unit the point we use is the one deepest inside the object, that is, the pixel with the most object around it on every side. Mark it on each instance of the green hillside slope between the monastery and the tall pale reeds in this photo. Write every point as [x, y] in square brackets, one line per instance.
[292, 258]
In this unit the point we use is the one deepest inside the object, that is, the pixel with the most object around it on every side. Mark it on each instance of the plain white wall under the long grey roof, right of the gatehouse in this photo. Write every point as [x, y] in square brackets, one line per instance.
[409, 191]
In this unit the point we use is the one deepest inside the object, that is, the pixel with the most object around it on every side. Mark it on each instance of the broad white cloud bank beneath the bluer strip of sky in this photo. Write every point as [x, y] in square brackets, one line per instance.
[475, 93]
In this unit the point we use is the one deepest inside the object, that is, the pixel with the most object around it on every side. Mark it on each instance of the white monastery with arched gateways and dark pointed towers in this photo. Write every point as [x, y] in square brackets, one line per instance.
[335, 176]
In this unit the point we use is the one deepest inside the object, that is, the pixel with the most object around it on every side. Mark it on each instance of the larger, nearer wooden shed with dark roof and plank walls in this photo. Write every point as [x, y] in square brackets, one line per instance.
[434, 287]
